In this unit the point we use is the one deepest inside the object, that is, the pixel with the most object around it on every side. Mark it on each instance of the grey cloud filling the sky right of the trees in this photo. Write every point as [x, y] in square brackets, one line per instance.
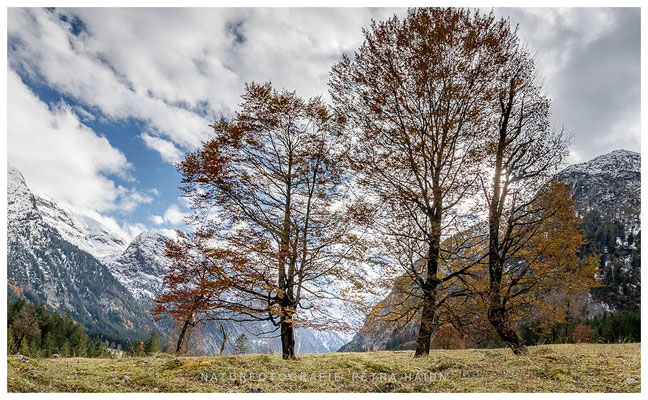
[590, 59]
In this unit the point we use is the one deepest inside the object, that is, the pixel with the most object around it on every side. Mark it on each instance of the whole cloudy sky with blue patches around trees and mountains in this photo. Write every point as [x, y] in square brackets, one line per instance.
[103, 102]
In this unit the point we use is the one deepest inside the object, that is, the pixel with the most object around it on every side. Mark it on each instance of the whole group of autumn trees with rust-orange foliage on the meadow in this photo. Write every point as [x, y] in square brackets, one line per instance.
[431, 175]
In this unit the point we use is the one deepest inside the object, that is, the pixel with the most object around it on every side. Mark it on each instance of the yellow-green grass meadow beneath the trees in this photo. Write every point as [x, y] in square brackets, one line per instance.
[551, 368]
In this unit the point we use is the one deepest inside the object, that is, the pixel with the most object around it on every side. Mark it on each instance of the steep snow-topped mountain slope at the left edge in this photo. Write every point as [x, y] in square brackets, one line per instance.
[44, 267]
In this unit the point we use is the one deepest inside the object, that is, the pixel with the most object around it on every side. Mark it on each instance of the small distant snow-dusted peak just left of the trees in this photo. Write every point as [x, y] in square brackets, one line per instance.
[142, 265]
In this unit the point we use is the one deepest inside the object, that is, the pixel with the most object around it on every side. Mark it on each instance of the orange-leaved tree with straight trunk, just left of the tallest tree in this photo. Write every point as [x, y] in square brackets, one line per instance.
[270, 188]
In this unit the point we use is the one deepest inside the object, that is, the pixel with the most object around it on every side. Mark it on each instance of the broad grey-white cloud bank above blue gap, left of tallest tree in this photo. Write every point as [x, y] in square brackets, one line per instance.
[155, 66]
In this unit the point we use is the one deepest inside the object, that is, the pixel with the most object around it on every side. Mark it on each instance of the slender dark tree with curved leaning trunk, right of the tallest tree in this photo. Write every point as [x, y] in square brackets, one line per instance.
[524, 209]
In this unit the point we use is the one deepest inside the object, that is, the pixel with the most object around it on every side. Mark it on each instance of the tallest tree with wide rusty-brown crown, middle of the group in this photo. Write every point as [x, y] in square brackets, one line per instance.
[415, 96]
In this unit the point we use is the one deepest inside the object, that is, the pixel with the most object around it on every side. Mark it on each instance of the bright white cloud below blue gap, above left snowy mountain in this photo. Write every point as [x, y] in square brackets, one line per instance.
[63, 158]
